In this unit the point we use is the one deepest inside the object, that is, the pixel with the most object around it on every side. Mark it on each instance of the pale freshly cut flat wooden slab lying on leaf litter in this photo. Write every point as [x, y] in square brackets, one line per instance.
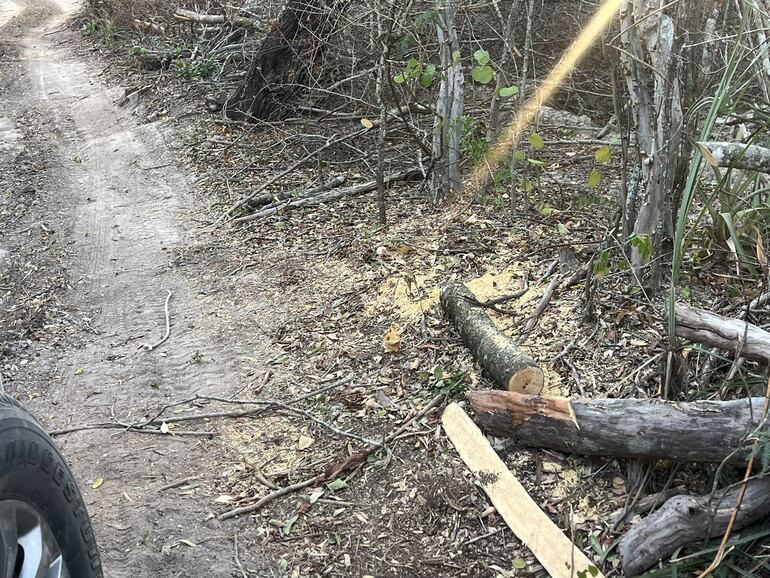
[525, 518]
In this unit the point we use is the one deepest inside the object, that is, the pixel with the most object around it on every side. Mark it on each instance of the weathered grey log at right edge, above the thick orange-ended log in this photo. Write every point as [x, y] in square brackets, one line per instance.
[723, 332]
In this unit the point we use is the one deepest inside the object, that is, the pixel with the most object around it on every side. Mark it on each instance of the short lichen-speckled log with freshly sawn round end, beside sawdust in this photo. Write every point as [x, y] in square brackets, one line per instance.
[496, 352]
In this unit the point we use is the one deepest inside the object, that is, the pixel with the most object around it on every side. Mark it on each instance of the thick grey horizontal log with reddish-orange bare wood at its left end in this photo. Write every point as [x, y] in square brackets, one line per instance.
[698, 431]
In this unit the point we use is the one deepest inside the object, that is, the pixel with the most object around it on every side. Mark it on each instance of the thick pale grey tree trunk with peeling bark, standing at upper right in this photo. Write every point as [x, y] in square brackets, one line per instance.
[659, 52]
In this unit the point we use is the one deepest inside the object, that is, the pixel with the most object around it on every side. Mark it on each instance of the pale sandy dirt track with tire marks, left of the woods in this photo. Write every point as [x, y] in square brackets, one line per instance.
[95, 215]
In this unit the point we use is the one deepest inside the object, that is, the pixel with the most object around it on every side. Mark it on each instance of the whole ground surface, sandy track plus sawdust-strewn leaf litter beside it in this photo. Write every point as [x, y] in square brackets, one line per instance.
[107, 203]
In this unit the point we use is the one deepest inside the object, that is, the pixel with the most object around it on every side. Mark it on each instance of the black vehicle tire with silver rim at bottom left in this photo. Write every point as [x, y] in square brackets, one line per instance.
[44, 527]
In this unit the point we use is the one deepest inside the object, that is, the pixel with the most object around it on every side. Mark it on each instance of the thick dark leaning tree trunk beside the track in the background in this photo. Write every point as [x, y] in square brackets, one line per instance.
[286, 60]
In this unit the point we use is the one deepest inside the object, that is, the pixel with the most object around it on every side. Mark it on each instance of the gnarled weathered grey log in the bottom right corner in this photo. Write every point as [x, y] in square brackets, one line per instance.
[687, 519]
